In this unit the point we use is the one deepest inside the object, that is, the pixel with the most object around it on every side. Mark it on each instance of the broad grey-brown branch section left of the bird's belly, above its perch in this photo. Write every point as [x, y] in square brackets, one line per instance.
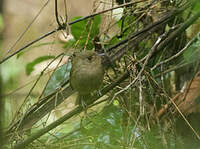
[41, 108]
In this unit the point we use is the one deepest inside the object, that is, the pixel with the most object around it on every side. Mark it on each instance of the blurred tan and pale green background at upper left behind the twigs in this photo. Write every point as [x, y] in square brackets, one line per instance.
[16, 16]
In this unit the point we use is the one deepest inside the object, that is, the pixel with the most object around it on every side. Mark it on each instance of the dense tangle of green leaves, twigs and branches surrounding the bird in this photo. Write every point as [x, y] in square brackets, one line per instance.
[151, 49]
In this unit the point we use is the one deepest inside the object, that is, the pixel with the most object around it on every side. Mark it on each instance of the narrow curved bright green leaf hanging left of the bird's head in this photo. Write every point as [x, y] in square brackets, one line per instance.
[30, 66]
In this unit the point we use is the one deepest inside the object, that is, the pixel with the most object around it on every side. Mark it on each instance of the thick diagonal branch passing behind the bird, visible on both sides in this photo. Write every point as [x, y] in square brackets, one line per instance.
[48, 103]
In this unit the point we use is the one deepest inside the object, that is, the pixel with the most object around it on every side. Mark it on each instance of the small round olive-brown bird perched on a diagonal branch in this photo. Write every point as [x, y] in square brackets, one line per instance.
[86, 75]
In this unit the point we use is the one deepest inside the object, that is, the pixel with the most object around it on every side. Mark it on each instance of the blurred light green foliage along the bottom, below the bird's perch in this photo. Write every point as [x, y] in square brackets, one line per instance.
[106, 130]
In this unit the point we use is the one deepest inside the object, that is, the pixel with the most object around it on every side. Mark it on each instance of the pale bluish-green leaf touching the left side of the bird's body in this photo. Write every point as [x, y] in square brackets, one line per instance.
[59, 76]
